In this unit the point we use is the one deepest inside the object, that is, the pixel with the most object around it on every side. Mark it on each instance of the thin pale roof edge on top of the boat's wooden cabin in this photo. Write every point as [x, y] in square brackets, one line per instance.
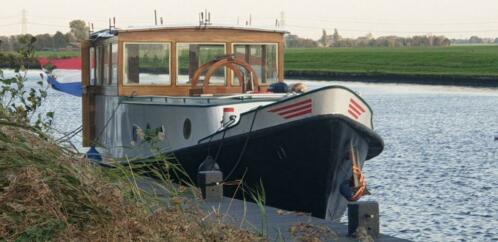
[107, 33]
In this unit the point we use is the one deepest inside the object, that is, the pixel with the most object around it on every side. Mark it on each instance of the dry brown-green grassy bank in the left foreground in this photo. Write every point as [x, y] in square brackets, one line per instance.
[48, 193]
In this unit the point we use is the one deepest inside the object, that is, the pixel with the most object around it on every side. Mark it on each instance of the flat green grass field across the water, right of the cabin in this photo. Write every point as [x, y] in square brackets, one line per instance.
[458, 60]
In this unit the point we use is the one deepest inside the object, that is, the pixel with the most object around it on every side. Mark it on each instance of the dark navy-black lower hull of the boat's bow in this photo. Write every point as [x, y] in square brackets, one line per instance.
[299, 164]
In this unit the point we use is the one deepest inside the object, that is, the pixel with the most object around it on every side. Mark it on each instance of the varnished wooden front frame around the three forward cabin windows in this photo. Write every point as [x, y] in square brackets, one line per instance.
[193, 35]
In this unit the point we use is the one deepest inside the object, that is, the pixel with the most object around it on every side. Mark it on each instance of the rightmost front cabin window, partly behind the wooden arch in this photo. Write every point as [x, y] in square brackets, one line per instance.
[262, 57]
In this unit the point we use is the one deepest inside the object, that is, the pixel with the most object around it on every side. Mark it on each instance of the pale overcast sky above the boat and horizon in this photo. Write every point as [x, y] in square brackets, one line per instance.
[453, 18]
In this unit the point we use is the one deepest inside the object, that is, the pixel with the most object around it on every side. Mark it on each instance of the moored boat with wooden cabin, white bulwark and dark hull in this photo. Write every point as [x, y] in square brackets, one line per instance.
[206, 92]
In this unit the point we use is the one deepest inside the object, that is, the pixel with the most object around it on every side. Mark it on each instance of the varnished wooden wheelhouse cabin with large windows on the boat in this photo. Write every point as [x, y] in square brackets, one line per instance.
[163, 61]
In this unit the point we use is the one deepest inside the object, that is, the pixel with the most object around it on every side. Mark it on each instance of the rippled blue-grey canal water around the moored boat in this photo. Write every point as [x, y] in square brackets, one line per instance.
[437, 179]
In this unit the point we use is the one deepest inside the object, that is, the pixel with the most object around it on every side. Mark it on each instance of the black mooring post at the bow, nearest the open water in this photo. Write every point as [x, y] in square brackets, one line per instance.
[364, 214]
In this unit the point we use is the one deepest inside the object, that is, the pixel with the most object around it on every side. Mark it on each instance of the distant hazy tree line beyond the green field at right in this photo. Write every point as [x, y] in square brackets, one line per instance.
[336, 40]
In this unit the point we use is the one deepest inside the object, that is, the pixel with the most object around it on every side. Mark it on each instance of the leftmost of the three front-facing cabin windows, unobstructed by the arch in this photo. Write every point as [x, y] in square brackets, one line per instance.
[147, 64]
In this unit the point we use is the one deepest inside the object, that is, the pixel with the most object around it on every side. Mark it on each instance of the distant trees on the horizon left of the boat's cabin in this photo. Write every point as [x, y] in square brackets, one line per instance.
[78, 32]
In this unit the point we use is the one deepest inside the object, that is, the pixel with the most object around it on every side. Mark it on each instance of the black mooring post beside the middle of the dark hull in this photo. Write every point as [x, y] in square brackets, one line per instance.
[210, 184]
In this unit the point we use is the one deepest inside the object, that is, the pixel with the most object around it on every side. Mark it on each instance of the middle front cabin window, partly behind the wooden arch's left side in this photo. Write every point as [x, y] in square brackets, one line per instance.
[192, 55]
